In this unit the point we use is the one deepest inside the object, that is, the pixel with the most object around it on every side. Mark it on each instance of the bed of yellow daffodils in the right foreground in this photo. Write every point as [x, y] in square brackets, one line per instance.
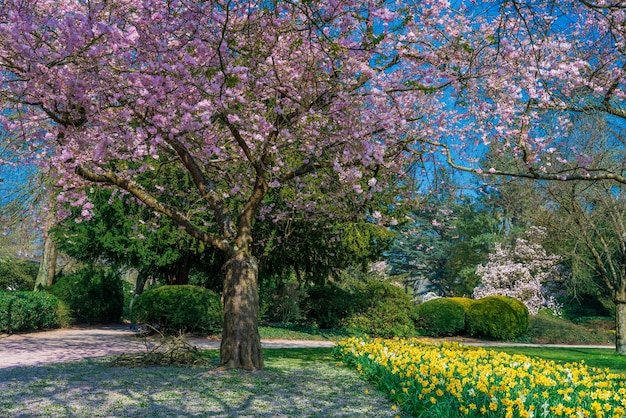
[450, 380]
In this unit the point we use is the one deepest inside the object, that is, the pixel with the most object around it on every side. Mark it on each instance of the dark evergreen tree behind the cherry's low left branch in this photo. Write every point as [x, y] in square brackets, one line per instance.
[130, 235]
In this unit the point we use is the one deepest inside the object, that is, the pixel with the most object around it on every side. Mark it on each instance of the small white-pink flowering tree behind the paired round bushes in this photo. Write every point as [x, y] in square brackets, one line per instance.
[520, 271]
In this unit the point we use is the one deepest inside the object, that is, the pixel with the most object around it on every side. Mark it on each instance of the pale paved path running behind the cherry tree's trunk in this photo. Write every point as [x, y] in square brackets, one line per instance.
[80, 343]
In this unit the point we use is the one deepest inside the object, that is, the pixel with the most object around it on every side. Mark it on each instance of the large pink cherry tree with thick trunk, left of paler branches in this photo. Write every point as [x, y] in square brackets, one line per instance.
[242, 96]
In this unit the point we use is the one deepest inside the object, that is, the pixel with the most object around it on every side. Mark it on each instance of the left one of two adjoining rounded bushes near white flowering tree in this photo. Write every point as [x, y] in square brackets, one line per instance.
[442, 316]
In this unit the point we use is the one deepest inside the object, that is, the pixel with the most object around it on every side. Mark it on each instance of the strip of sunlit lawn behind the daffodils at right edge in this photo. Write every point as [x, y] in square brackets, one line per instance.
[601, 358]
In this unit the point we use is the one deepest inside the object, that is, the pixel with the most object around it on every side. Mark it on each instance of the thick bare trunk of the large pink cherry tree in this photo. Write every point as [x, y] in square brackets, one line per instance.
[241, 342]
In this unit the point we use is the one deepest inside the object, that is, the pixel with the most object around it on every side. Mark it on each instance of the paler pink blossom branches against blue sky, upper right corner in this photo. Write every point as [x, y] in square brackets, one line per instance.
[538, 65]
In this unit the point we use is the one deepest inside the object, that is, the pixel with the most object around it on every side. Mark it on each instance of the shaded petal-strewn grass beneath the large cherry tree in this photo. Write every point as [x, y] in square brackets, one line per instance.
[295, 383]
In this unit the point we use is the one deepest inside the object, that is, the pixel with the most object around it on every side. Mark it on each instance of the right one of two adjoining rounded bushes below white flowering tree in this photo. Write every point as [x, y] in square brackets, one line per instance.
[496, 317]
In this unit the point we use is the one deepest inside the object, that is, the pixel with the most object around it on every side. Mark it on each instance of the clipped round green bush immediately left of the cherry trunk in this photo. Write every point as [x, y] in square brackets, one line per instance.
[182, 308]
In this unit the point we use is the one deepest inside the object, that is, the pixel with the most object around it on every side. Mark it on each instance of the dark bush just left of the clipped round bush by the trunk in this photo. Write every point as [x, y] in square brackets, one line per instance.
[93, 294]
